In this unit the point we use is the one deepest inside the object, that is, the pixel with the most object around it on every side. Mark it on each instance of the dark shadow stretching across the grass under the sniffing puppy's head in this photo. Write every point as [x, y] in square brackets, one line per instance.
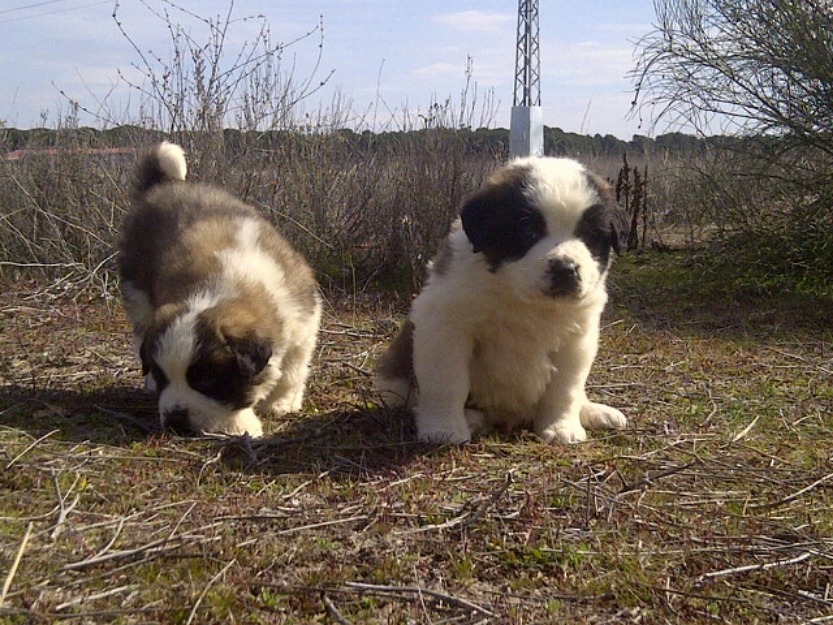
[346, 443]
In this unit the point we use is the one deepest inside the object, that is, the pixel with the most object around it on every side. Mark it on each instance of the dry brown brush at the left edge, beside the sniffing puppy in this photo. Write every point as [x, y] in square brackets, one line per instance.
[61, 206]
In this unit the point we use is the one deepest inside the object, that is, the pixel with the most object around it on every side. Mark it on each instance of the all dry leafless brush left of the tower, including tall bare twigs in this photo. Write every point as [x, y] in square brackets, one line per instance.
[364, 207]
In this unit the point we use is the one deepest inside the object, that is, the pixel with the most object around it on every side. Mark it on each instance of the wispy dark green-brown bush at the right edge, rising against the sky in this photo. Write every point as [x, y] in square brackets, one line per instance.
[763, 69]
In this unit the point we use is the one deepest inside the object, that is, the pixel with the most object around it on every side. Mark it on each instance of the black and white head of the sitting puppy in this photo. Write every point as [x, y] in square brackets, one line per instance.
[548, 225]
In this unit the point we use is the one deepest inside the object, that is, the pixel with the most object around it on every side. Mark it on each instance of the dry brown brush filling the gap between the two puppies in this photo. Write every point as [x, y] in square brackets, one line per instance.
[364, 209]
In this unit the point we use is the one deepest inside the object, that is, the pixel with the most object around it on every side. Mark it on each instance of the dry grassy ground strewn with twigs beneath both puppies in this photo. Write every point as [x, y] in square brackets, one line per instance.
[713, 506]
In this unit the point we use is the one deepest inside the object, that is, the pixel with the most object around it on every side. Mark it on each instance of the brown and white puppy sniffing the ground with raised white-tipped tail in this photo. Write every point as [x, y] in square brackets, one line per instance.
[225, 313]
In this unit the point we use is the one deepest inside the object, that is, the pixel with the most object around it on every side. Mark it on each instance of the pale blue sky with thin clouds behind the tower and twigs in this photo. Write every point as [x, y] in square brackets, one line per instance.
[389, 59]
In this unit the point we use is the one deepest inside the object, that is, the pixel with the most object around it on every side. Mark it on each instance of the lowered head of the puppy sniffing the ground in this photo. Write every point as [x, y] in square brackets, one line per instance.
[210, 364]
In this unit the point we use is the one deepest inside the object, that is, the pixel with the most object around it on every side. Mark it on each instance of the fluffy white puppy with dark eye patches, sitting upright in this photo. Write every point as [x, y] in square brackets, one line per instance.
[506, 328]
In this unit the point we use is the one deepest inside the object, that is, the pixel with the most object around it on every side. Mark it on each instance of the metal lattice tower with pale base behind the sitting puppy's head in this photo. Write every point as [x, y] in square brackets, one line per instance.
[526, 132]
